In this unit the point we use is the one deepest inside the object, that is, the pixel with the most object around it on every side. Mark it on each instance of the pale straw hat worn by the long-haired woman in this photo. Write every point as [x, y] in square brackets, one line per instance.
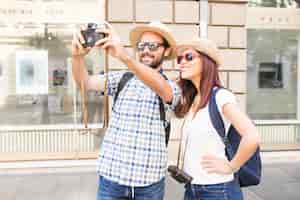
[202, 45]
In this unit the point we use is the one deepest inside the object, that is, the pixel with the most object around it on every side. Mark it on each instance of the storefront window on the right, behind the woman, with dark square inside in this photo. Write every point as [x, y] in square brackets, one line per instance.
[272, 73]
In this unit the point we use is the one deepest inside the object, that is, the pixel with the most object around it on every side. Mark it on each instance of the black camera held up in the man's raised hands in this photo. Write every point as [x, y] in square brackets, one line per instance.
[91, 36]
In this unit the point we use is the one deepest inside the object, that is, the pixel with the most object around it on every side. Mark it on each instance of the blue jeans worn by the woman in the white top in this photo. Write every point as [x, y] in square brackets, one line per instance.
[224, 191]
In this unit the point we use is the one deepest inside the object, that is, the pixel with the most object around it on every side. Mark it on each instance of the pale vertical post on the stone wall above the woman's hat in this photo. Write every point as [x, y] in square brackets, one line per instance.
[203, 18]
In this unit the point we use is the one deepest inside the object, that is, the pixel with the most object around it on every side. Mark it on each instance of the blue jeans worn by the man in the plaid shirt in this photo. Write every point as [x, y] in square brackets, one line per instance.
[109, 190]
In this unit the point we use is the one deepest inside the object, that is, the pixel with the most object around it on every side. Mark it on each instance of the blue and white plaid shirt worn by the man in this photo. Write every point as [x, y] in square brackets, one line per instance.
[133, 151]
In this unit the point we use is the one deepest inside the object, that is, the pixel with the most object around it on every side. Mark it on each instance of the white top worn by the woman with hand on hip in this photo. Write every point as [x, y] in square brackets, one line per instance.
[202, 139]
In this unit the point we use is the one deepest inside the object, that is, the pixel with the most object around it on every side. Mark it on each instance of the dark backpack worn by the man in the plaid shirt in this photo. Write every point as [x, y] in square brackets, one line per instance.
[167, 125]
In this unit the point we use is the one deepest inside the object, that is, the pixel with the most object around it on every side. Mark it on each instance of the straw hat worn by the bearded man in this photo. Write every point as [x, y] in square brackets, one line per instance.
[136, 33]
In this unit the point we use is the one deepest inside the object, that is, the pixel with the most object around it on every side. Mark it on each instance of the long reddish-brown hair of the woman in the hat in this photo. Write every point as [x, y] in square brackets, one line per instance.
[209, 79]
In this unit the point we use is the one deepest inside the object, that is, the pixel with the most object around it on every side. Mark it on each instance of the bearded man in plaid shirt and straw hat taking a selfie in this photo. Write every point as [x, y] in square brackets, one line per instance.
[133, 155]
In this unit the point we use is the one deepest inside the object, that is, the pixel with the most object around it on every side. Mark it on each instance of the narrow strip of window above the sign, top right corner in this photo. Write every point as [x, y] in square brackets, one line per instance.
[275, 3]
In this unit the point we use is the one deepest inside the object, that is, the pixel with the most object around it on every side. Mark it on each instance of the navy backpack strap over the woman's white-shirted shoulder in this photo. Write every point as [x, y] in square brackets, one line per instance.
[215, 116]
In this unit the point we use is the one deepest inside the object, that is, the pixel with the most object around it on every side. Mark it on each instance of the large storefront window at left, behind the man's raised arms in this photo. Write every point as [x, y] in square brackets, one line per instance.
[37, 87]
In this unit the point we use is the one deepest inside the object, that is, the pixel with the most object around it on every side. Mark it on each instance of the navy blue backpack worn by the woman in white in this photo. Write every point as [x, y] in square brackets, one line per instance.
[250, 173]
